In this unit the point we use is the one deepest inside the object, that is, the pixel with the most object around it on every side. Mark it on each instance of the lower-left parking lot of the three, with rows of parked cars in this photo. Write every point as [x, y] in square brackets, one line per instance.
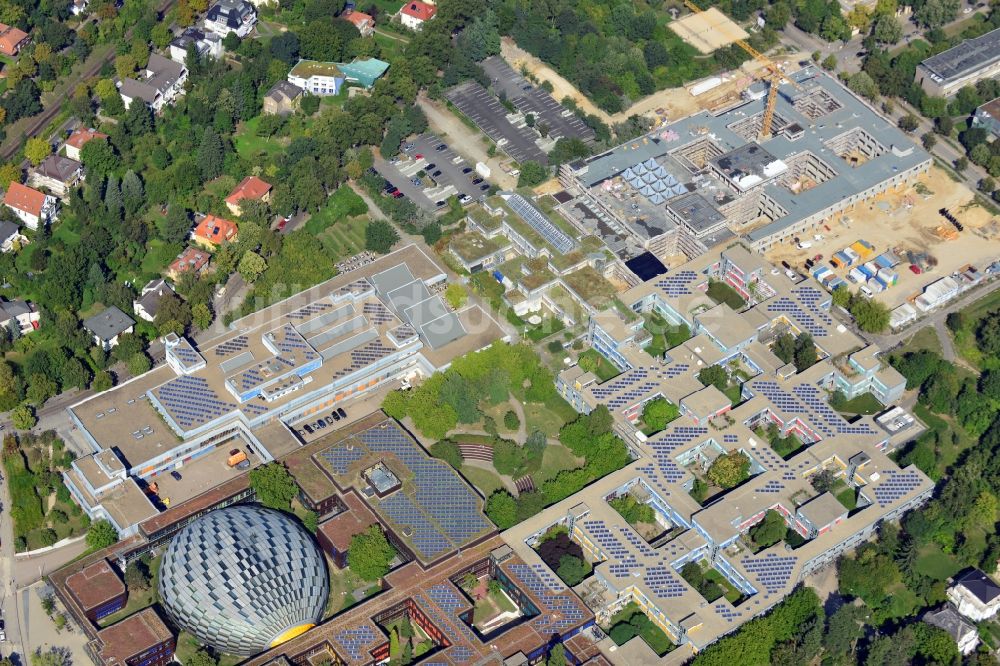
[446, 173]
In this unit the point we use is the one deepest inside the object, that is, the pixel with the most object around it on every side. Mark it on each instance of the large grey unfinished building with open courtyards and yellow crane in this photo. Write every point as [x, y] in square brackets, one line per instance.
[702, 180]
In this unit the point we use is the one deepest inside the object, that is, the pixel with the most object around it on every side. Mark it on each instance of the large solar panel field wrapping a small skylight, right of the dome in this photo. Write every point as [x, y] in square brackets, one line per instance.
[442, 512]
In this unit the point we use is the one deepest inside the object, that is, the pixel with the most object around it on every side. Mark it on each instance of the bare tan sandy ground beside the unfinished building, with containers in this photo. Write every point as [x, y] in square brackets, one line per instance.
[887, 223]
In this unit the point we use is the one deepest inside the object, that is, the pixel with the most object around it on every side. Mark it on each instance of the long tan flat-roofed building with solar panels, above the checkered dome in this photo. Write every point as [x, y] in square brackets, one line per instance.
[343, 339]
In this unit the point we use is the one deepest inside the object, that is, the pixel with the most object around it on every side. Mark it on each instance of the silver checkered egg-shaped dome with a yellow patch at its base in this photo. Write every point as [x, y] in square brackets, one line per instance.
[243, 578]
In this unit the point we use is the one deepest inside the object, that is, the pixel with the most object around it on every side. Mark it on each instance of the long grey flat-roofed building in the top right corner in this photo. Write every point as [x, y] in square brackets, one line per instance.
[973, 60]
